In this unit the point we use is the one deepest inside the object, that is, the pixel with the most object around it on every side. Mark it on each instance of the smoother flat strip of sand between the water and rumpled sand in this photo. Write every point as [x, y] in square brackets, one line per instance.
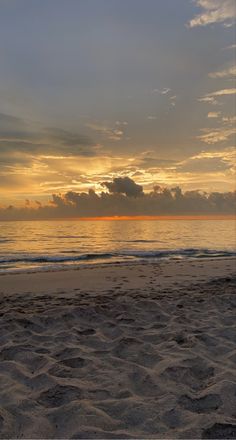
[168, 272]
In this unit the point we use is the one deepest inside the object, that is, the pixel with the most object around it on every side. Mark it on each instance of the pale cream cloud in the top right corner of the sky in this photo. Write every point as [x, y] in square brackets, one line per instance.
[214, 11]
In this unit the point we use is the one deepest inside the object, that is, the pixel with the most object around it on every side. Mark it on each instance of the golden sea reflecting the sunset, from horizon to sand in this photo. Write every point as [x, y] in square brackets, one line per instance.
[43, 245]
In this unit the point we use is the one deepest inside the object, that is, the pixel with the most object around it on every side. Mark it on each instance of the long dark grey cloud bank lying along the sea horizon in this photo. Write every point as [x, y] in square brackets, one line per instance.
[160, 201]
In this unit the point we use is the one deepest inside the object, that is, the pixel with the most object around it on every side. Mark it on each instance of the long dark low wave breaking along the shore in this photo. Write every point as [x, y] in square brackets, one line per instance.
[136, 254]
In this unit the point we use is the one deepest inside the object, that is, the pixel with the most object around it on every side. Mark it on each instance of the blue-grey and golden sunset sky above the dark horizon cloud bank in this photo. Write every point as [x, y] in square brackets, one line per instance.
[97, 90]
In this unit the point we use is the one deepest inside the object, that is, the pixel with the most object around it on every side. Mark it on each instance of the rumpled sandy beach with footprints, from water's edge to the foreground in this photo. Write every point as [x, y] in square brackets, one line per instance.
[119, 351]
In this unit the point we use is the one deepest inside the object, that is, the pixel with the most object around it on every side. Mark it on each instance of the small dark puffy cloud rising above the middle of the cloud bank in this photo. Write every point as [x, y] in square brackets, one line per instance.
[124, 185]
